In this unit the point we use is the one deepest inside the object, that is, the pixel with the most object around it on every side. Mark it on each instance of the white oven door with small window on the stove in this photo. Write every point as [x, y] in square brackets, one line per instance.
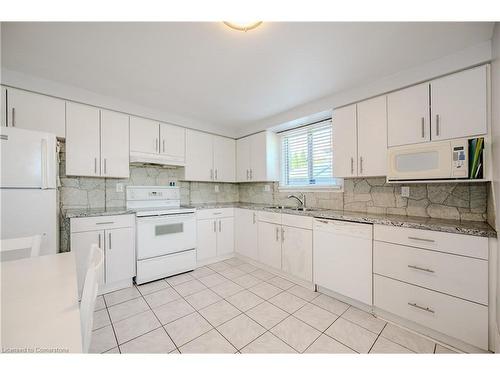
[161, 235]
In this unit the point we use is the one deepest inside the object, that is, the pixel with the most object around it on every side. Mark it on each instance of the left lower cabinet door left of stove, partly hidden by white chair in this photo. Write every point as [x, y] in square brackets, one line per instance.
[80, 246]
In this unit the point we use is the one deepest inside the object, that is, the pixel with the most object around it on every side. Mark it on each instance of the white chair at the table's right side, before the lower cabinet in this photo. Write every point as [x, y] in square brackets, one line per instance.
[89, 295]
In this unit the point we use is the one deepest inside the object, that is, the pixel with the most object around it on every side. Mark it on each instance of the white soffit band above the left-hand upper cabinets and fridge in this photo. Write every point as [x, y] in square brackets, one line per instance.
[43, 86]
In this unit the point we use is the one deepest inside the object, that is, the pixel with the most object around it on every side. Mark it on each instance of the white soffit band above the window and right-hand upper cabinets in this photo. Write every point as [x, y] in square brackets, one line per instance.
[471, 56]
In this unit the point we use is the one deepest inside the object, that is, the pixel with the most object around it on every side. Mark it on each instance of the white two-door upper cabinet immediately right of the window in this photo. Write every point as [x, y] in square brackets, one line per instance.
[360, 139]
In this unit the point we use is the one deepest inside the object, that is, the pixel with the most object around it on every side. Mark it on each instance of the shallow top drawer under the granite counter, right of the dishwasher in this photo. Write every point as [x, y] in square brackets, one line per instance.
[460, 244]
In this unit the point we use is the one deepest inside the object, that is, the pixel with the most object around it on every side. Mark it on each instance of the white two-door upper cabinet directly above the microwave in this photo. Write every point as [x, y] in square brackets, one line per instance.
[454, 106]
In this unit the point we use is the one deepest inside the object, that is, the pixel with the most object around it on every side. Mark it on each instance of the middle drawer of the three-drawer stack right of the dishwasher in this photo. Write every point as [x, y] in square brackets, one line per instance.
[452, 274]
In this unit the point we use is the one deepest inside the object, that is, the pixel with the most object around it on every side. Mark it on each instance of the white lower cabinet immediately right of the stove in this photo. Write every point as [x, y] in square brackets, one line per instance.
[215, 233]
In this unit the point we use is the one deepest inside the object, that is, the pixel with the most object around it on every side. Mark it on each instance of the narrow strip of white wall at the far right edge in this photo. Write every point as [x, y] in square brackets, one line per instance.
[495, 100]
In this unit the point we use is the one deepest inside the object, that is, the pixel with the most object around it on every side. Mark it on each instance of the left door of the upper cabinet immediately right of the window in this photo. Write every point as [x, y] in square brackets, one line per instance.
[344, 141]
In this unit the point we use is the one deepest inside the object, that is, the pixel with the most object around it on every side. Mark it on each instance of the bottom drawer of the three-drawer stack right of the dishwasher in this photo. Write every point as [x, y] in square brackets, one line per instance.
[466, 321]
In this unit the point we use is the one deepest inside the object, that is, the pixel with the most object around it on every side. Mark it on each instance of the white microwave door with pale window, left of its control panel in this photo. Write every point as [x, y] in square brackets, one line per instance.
[420, 162]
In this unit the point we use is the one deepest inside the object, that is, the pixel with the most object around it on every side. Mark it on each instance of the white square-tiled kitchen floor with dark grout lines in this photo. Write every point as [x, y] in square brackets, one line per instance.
[235, 307]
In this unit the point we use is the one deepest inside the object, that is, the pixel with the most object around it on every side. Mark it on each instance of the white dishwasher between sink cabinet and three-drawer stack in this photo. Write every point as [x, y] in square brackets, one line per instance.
[342, 258]
